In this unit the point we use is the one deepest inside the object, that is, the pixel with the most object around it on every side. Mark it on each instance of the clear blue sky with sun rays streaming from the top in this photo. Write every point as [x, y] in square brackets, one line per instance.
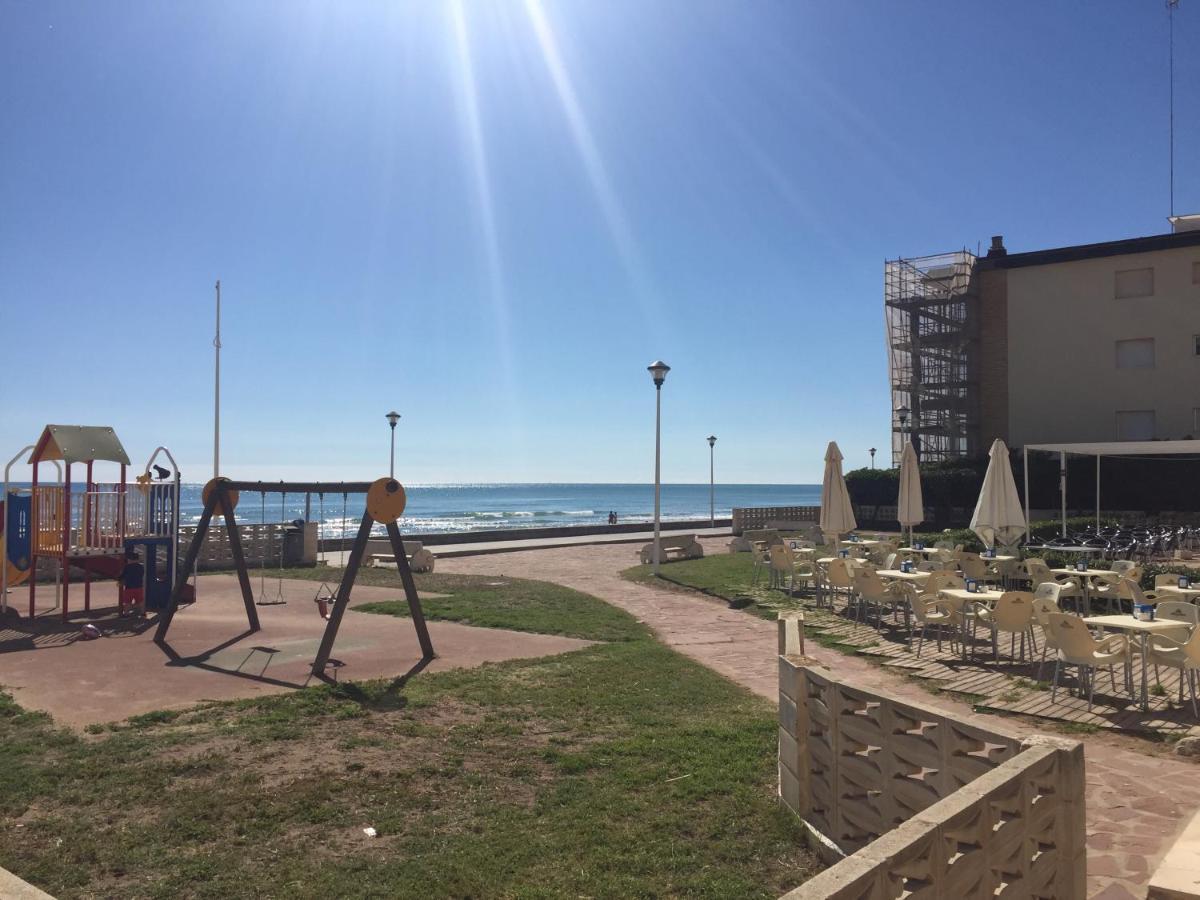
[494, 215]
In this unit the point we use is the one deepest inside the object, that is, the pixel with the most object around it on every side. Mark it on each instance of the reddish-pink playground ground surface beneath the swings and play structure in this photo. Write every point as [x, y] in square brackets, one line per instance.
[212, 656]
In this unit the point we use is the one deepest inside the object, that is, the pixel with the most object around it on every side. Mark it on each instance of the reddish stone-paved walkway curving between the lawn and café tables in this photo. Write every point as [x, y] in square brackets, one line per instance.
[1137, 805]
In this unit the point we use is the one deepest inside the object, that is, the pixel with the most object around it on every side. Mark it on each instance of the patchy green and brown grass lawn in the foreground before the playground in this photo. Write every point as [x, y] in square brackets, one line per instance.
[623, 770]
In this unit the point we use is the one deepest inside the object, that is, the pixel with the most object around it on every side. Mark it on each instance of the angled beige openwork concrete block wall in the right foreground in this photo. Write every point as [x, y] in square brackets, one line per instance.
[922, 803]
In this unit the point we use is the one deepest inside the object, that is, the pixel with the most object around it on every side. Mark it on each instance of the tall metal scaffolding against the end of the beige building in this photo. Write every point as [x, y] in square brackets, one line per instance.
[932, 313]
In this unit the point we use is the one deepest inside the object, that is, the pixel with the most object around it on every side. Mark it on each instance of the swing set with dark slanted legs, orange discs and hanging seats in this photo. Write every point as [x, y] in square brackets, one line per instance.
[386, 505]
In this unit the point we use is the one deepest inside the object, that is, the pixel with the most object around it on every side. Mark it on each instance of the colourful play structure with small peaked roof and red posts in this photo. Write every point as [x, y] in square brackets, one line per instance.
[89, 526]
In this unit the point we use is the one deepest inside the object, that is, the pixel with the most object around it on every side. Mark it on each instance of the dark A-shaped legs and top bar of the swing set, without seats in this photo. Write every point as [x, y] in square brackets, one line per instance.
[219, 501]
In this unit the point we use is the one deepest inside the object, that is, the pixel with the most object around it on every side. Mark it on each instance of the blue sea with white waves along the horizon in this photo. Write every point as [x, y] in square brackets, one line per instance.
[472, 508]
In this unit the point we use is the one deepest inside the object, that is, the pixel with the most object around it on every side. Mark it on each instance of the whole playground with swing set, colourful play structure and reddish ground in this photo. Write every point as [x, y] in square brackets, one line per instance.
[152, 634]
